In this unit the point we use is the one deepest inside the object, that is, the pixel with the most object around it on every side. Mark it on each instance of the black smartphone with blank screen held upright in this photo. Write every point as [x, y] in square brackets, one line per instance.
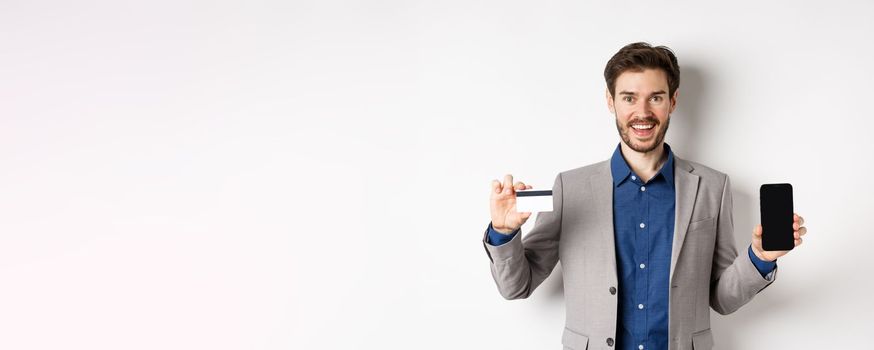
[775, 201]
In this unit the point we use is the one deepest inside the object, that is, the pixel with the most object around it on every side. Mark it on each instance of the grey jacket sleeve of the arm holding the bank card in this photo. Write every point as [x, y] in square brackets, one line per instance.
[520, 265]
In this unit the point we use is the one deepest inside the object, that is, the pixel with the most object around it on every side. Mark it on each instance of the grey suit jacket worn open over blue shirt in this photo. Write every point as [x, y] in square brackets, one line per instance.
[706, 270]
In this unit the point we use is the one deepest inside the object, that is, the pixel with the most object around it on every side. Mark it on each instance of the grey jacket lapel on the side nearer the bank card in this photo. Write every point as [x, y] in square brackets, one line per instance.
[602, 186]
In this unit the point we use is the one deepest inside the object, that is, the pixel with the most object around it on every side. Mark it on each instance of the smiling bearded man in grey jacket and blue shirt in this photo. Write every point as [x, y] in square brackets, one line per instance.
[646, 239]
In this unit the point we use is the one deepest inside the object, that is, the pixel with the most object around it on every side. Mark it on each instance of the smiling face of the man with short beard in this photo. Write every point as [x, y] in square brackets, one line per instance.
[642, 108]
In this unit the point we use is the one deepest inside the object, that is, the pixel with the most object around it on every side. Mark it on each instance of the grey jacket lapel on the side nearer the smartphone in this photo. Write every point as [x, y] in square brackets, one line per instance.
[686, 185]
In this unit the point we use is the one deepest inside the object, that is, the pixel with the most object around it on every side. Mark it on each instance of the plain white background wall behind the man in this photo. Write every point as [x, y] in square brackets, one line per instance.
[315, 175]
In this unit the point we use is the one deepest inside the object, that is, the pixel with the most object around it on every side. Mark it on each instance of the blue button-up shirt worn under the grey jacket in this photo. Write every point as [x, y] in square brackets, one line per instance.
[643, 222]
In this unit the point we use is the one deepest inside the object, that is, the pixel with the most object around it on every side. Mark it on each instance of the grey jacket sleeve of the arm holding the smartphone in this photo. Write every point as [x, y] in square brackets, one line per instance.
[734, 278]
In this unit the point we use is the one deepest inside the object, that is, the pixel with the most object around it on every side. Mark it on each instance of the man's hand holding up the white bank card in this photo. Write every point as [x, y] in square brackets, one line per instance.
[505, 218]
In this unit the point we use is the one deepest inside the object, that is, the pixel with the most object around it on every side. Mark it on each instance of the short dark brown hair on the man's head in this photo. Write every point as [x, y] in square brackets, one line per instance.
[638, 56]
